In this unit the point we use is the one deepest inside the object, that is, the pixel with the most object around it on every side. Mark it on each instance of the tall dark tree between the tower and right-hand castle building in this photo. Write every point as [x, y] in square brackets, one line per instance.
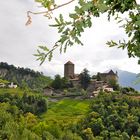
[85, 79]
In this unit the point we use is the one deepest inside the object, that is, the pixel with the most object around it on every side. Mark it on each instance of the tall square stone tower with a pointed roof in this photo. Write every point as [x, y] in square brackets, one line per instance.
[69, 70]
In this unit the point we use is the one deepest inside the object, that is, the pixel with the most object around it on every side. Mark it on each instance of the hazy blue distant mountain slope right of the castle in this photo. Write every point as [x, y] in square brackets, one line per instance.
[128, 79]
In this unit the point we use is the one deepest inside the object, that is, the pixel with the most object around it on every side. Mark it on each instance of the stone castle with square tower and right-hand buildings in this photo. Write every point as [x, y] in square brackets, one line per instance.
[95, 84]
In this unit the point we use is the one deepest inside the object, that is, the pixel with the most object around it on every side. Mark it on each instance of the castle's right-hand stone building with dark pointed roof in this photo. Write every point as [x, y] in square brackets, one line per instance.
[107, 77]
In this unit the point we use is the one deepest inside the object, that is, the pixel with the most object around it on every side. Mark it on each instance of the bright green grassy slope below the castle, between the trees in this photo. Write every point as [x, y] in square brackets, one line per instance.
[66, 111]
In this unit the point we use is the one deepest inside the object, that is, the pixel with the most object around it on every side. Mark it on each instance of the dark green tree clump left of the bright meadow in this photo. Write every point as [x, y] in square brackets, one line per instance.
[28, 103]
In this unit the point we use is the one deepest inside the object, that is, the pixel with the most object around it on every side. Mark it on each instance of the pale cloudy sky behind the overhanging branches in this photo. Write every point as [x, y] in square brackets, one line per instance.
[18, 42]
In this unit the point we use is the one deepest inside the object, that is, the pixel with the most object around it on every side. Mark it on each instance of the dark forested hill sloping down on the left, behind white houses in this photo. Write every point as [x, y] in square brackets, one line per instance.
[23, 77]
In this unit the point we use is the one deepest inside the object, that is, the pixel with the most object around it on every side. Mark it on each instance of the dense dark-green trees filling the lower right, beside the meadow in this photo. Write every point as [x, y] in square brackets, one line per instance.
[112, 116]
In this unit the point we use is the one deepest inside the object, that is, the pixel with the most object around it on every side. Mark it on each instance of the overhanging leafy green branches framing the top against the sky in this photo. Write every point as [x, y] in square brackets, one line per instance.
[70, 31]
